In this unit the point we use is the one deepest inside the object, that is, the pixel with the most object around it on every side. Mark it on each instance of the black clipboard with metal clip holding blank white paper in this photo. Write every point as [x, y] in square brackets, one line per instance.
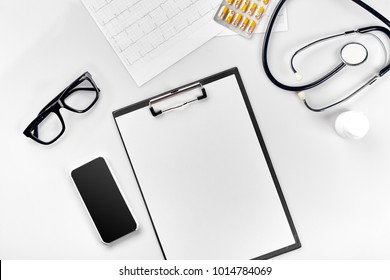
[204, 172]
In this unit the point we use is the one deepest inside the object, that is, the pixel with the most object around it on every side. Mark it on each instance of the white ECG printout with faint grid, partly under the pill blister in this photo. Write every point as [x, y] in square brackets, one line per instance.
[151, 35]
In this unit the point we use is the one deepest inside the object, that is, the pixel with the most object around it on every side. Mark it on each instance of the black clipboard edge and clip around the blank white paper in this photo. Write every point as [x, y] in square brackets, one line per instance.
[150, 102]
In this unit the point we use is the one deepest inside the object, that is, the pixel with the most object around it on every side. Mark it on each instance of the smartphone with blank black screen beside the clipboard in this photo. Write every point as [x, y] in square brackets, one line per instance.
[103, 200]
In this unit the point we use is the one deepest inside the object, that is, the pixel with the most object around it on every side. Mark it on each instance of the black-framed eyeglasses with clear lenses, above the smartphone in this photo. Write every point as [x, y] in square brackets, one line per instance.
[78, 97]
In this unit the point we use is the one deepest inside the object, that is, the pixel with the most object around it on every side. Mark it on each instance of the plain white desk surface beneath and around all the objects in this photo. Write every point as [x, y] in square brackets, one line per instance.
[337, 190]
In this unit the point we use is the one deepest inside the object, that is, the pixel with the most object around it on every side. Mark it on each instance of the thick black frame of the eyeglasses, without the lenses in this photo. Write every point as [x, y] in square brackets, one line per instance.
[56, 104]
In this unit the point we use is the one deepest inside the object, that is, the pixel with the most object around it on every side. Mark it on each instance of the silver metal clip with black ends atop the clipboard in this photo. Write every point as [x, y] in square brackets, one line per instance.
[174, 93]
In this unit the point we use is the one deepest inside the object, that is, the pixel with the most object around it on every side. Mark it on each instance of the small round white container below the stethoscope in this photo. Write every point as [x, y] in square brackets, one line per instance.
[352, 125]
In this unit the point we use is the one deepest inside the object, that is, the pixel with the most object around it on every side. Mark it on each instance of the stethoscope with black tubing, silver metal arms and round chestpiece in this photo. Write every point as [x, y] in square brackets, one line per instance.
[351, 54]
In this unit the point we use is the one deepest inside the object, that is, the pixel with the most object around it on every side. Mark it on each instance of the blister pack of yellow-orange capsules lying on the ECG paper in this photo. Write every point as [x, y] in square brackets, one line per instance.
[241, 16]
